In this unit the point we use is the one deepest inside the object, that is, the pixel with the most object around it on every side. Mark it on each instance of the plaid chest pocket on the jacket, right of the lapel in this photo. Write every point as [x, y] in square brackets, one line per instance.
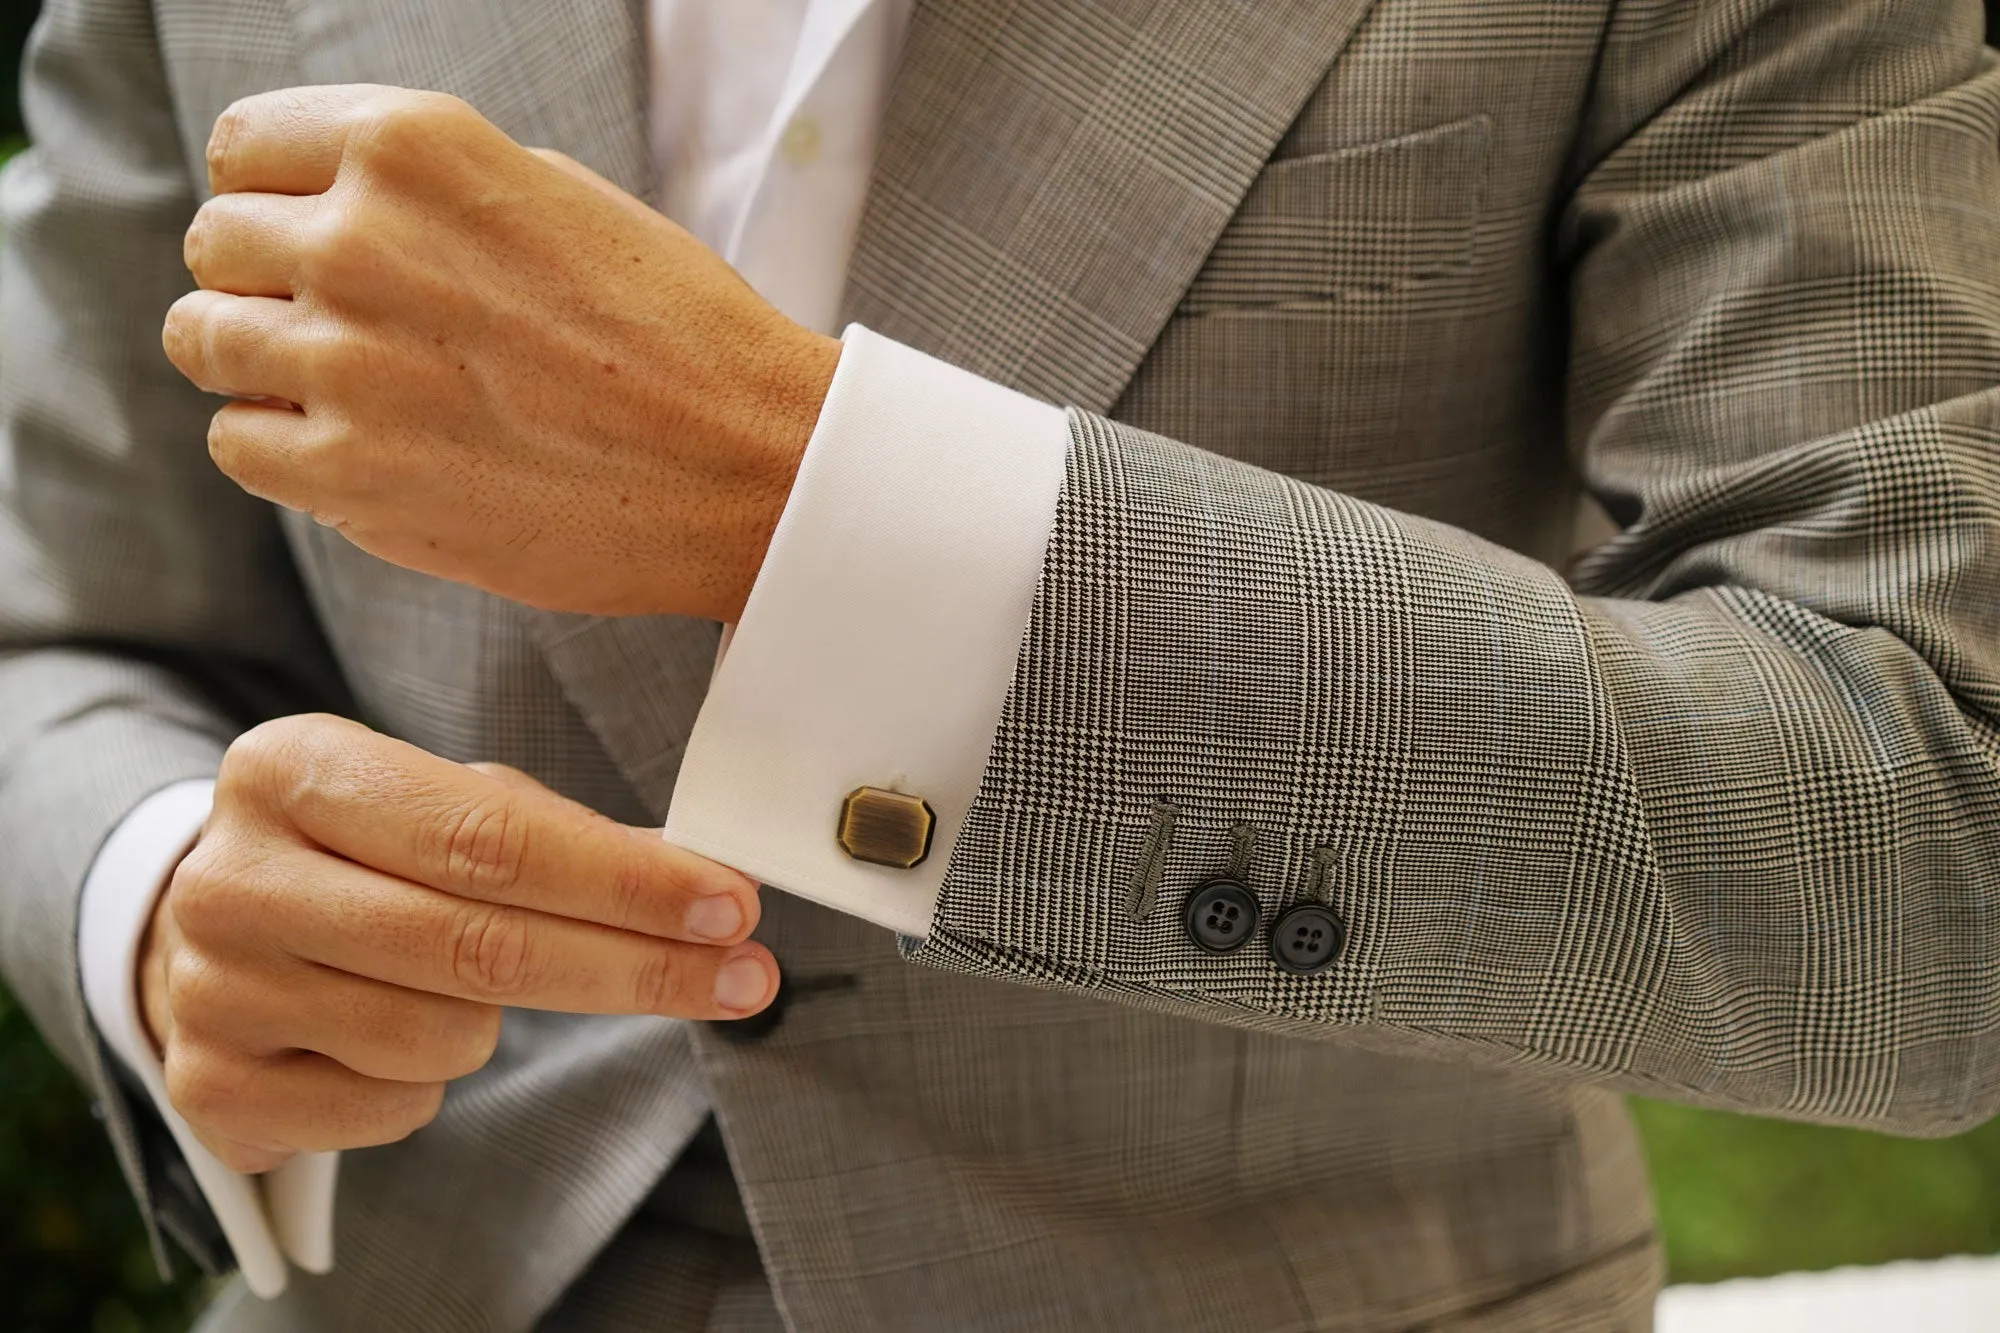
[1375, 219]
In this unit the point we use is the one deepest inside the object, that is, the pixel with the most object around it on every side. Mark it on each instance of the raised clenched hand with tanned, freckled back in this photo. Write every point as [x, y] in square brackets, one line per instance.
[483, 361]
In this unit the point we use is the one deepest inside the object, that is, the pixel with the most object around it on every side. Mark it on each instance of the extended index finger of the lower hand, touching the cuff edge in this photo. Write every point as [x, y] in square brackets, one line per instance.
[399, 810]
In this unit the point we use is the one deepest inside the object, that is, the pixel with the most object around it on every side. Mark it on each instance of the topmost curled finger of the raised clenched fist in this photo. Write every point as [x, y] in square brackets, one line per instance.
[289, 141]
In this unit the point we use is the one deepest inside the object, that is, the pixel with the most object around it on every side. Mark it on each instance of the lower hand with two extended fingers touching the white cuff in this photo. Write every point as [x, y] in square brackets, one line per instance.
[343, 936]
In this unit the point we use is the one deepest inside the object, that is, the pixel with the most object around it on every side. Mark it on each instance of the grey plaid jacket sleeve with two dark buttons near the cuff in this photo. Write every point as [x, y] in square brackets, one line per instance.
[1721, 818]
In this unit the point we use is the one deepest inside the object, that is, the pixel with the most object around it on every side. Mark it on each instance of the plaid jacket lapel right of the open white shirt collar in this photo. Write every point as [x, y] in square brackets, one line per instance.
[1055, 173]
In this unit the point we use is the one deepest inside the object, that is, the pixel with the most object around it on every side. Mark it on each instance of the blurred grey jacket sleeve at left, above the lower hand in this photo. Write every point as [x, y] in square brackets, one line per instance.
[147, 607]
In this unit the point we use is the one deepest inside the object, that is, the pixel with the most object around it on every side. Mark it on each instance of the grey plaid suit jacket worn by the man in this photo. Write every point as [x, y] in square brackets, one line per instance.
[1351, 301]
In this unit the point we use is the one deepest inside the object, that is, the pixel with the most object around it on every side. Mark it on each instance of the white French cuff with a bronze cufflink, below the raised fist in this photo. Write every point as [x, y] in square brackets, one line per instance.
[883, 631]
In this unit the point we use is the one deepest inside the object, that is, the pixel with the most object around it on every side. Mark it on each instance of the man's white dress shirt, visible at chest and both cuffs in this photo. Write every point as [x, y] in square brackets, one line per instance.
[881, 637]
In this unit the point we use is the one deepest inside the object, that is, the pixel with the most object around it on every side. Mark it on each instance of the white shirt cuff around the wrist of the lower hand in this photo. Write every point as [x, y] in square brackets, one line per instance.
[285, 1214]
